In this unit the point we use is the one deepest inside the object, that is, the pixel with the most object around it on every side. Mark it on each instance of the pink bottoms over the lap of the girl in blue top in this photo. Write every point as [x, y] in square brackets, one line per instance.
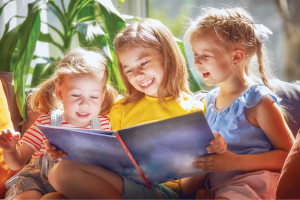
[250, 185]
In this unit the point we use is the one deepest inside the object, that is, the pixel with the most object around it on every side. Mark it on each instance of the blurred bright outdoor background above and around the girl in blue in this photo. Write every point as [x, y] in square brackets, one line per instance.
[282, 17]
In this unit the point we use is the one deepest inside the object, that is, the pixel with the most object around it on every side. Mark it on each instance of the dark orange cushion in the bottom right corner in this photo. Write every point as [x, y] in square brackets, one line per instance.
[289, 182]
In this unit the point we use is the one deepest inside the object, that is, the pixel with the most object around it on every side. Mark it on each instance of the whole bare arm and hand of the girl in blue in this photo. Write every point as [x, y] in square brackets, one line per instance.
[266, 115]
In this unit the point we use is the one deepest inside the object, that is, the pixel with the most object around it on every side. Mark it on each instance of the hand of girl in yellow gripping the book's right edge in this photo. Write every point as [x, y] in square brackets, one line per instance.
[217, 145]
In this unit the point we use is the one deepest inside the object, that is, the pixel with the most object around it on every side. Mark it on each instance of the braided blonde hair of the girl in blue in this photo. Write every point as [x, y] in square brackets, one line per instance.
[235, 27]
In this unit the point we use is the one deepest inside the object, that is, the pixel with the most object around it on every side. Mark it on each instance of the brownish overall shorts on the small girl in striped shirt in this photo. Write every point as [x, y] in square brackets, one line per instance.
[33, 176]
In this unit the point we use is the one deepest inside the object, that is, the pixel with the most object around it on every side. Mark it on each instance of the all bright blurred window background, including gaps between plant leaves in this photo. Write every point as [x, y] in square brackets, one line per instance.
[282, 17]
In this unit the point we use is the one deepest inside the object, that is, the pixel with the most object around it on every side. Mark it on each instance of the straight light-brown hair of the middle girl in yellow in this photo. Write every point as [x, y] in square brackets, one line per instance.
[150, 33]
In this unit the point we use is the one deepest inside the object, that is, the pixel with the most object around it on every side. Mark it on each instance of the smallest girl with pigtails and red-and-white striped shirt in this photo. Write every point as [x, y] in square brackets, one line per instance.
[79, 86]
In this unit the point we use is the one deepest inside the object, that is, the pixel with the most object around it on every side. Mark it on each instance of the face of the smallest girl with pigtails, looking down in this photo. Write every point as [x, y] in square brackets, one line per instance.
[82, 97]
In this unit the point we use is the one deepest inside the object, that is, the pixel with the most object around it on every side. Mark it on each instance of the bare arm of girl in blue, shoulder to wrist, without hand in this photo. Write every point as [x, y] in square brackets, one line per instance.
[267, 115]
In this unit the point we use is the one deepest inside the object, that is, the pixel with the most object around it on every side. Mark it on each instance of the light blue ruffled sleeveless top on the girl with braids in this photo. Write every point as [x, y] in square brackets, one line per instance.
[241, 136]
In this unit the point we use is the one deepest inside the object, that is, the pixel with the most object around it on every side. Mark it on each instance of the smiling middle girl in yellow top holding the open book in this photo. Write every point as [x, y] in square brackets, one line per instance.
[154, 72]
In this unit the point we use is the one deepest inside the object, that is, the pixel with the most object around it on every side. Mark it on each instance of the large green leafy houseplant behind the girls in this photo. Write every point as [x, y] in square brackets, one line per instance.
[96, 22]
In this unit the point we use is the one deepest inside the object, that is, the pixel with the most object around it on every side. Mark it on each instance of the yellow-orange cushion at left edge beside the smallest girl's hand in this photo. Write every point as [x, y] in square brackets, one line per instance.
[5, 122]
